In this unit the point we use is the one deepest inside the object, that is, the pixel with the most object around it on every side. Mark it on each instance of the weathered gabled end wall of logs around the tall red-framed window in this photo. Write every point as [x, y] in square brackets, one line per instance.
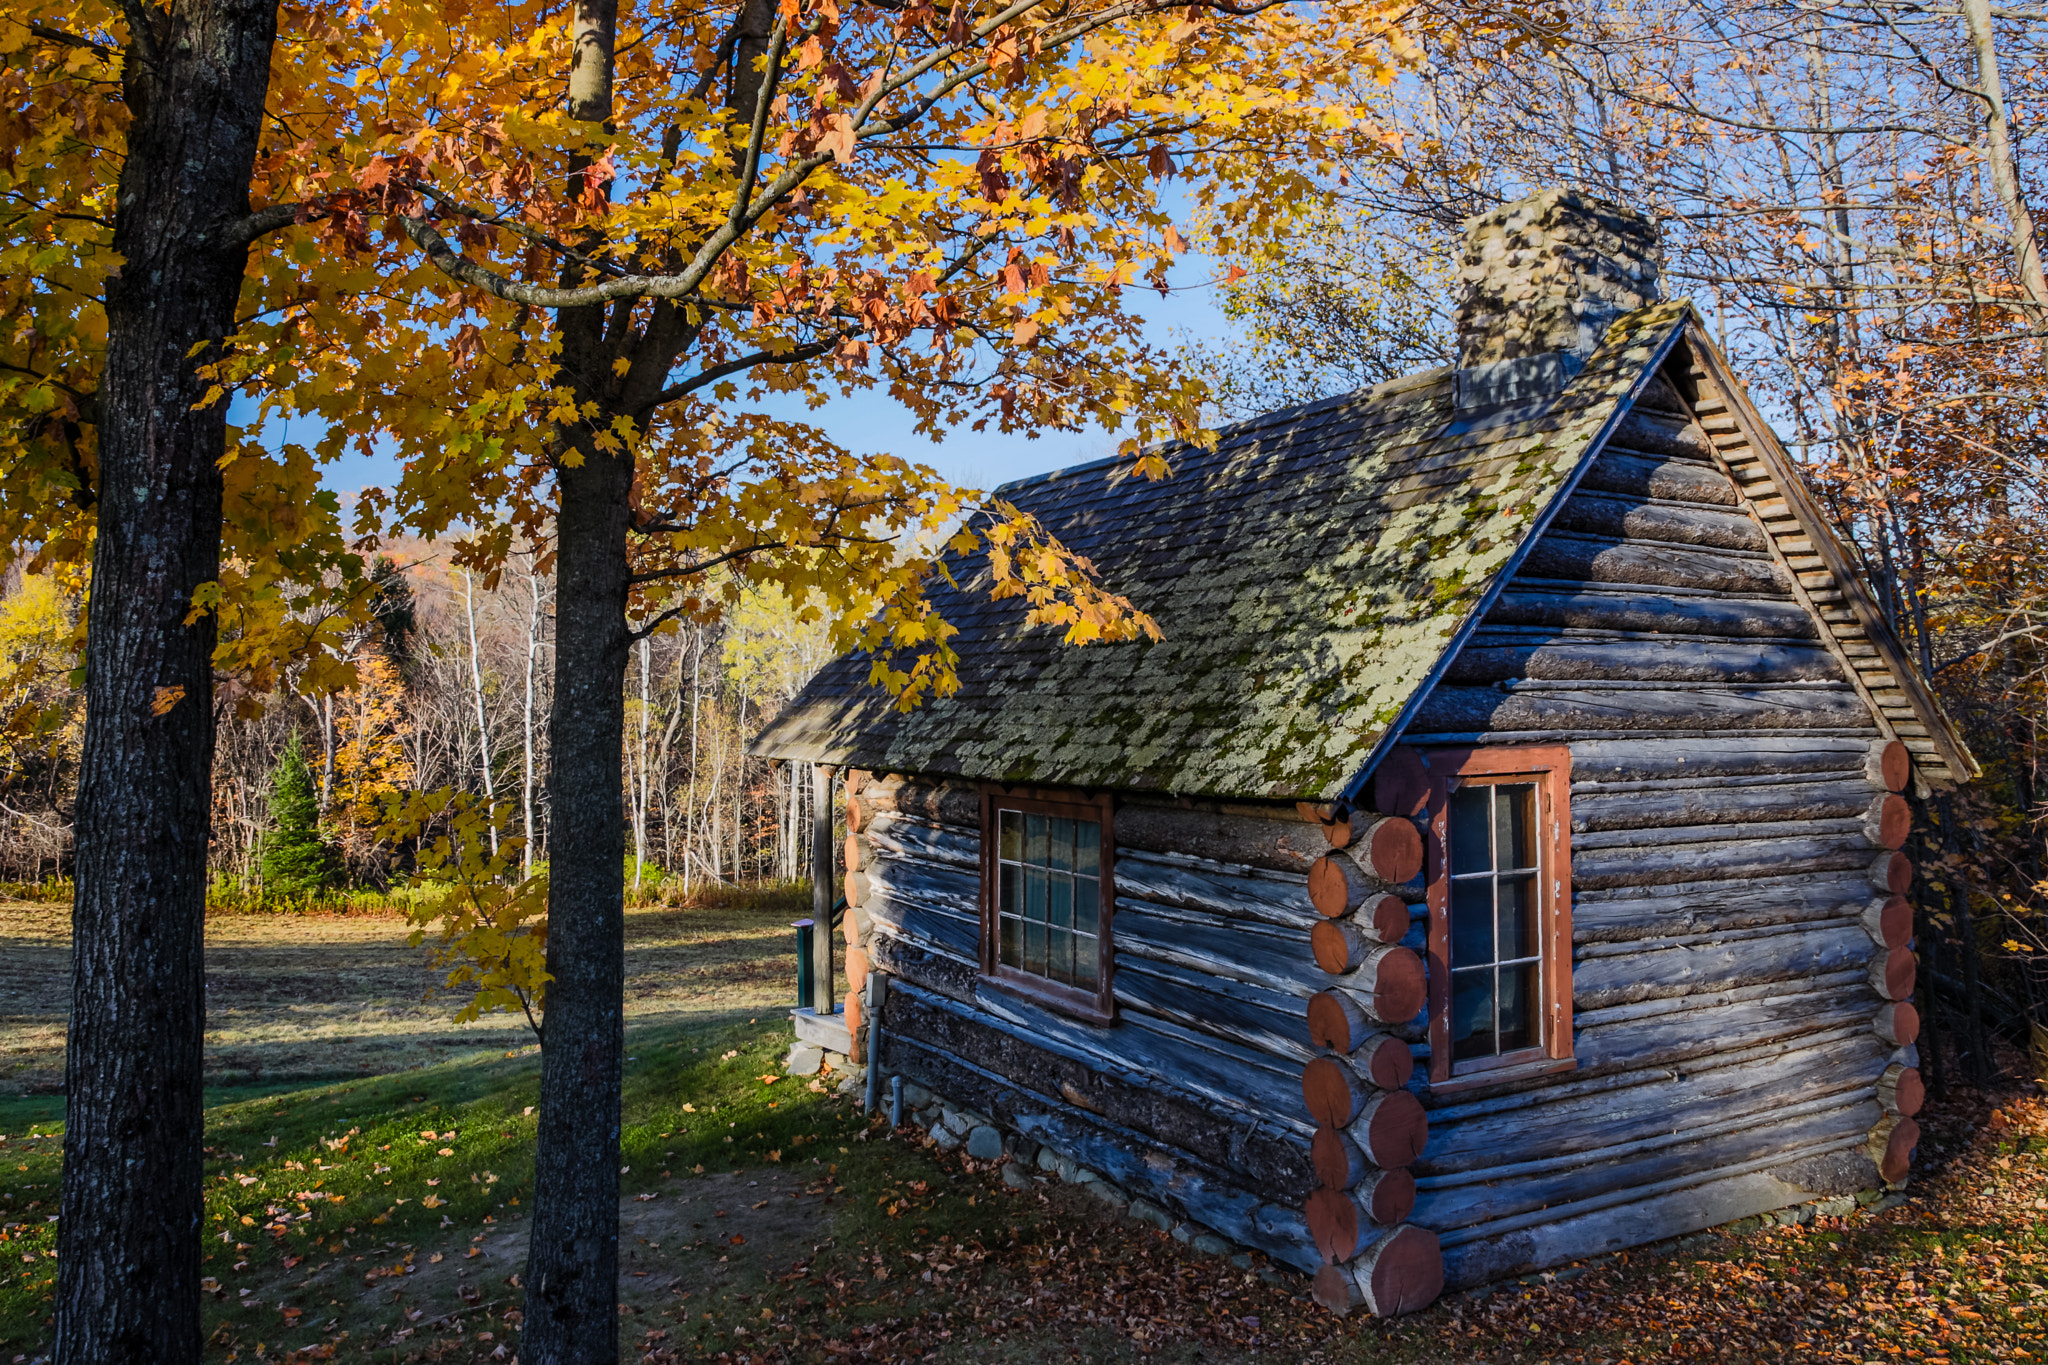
[1736, 926]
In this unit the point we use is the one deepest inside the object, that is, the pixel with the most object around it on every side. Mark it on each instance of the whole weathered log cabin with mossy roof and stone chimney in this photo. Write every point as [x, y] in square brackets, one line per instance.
[1496, 863]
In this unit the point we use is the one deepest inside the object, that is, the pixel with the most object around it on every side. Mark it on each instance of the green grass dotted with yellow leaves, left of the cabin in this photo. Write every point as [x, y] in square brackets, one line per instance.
[347, 1172]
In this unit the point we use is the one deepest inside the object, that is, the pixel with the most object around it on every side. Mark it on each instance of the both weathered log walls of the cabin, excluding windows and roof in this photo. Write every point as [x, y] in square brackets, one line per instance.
[1740, 940]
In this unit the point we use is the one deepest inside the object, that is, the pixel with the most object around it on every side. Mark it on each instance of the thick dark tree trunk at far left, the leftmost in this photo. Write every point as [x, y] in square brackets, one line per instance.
[128, 1241]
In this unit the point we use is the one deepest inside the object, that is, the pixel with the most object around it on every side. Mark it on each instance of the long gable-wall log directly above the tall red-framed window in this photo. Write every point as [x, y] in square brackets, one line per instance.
[1598, 709]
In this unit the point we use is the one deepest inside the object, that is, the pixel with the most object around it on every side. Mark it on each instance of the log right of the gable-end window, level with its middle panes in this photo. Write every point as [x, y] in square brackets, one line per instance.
[1713, 906]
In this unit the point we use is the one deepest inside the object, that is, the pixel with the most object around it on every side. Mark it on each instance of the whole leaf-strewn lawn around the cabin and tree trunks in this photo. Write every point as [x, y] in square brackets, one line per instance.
[765, 1219]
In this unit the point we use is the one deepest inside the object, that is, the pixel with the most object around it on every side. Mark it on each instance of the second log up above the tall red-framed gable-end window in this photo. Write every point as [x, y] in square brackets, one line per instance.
[1644, 660]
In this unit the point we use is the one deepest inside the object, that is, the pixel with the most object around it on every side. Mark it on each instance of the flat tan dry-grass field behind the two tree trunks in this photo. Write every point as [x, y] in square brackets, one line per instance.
[310, 998]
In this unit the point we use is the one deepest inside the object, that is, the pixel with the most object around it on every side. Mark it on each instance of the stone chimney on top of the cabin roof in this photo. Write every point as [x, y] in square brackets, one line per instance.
[1541, 279]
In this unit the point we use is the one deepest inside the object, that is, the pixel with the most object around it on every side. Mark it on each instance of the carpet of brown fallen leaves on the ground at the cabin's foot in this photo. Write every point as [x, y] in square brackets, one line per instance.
[1951, 1276]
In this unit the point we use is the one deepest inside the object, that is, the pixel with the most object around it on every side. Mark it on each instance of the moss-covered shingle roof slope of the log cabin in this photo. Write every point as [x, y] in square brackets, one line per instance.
[1310, 574]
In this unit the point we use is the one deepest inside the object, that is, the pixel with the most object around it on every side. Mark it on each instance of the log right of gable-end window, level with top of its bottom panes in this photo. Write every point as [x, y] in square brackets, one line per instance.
[1641, 971]
